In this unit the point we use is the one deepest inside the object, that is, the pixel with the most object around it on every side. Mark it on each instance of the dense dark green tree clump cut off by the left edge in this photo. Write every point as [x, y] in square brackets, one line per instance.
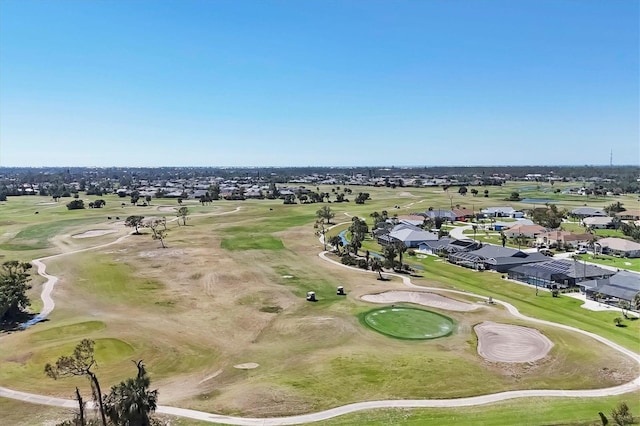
[14, 284]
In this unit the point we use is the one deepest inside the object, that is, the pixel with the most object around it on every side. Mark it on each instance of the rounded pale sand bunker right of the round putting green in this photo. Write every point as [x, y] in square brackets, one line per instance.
[511, 343]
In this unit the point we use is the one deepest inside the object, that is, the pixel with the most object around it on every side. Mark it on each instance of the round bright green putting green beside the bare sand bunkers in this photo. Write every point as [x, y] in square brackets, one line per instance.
[408, 323]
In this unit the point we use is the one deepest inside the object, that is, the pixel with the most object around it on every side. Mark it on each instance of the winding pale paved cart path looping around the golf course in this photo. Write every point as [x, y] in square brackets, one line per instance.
[634, 385]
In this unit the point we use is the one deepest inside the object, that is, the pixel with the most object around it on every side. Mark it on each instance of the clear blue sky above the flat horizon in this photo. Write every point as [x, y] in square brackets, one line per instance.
[305, 83]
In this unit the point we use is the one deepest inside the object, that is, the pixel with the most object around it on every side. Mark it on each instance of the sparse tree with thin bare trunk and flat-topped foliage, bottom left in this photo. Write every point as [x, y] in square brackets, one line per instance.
[79, 364]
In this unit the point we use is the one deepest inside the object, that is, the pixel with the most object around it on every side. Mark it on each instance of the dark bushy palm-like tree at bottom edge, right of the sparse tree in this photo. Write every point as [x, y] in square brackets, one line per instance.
[130, 402]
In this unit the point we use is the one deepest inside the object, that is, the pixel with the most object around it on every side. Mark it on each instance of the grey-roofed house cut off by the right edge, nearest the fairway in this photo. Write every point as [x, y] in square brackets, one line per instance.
[624, 285]
